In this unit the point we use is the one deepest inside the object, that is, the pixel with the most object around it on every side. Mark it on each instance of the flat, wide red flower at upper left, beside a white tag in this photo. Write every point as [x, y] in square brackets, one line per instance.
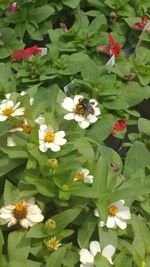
[23, 54]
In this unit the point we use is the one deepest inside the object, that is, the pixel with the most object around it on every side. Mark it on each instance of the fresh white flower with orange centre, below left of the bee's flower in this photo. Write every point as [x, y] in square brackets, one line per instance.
[48, 139]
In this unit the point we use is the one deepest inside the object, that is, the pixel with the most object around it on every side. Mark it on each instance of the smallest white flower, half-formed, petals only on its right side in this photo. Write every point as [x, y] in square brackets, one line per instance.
[83, 174]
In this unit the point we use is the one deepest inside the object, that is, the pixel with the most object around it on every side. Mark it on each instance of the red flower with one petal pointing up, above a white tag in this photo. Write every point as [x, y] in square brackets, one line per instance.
[113, 48]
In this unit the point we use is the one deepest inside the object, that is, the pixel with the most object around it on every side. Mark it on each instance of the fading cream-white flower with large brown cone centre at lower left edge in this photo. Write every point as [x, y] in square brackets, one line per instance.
[25, 213]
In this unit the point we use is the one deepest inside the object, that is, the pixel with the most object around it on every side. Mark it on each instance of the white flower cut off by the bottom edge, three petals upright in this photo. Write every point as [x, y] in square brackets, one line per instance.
[87, 256]
